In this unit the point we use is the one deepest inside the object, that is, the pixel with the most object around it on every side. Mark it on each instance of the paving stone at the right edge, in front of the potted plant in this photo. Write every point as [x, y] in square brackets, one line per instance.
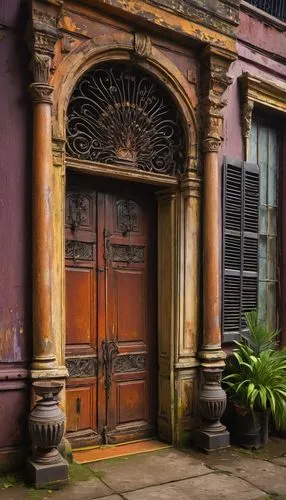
[264, 475]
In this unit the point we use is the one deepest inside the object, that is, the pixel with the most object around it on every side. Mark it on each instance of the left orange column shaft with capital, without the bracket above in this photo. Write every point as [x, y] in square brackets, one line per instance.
[41, 93]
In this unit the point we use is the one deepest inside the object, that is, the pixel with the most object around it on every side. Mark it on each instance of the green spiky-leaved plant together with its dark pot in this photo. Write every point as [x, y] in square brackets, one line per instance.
[255, 382]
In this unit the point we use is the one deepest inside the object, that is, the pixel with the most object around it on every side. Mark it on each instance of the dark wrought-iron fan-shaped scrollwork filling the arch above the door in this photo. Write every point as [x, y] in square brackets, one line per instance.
[120, 115]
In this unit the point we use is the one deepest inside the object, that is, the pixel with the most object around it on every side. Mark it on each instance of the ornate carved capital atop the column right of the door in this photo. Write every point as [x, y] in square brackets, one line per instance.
[215, 81]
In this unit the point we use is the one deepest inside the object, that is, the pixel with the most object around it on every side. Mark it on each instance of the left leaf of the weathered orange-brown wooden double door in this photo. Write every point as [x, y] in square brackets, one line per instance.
[81, 311]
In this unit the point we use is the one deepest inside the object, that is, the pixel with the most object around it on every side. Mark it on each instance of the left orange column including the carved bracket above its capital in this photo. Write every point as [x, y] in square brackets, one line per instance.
[42, 37]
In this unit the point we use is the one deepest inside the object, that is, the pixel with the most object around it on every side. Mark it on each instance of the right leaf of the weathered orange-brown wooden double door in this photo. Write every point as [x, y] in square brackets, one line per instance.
[129, 330]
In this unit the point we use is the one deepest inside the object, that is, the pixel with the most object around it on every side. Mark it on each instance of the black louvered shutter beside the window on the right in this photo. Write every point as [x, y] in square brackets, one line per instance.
[240, 245]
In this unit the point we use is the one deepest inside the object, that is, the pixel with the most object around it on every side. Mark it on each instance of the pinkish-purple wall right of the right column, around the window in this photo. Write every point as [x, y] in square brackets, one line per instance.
[262, 53]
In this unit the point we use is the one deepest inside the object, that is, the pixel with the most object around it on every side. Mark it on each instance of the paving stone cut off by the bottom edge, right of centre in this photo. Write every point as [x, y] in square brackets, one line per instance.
[210, 487]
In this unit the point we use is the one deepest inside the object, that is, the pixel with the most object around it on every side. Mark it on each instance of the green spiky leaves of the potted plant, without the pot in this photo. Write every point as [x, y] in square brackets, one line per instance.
[255, 376]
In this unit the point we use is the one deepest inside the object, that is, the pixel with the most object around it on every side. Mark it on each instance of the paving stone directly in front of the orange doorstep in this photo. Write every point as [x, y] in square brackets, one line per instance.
[131, 473]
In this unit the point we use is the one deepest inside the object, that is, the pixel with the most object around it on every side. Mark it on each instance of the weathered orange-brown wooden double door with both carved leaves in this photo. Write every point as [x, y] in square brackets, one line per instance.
[111, 334]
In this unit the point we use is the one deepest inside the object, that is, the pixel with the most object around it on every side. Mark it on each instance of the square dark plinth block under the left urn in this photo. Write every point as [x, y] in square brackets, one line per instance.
[48, 476]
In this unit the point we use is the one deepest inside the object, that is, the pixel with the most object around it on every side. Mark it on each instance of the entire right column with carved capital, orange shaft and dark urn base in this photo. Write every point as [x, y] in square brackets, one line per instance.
[212, 401]
